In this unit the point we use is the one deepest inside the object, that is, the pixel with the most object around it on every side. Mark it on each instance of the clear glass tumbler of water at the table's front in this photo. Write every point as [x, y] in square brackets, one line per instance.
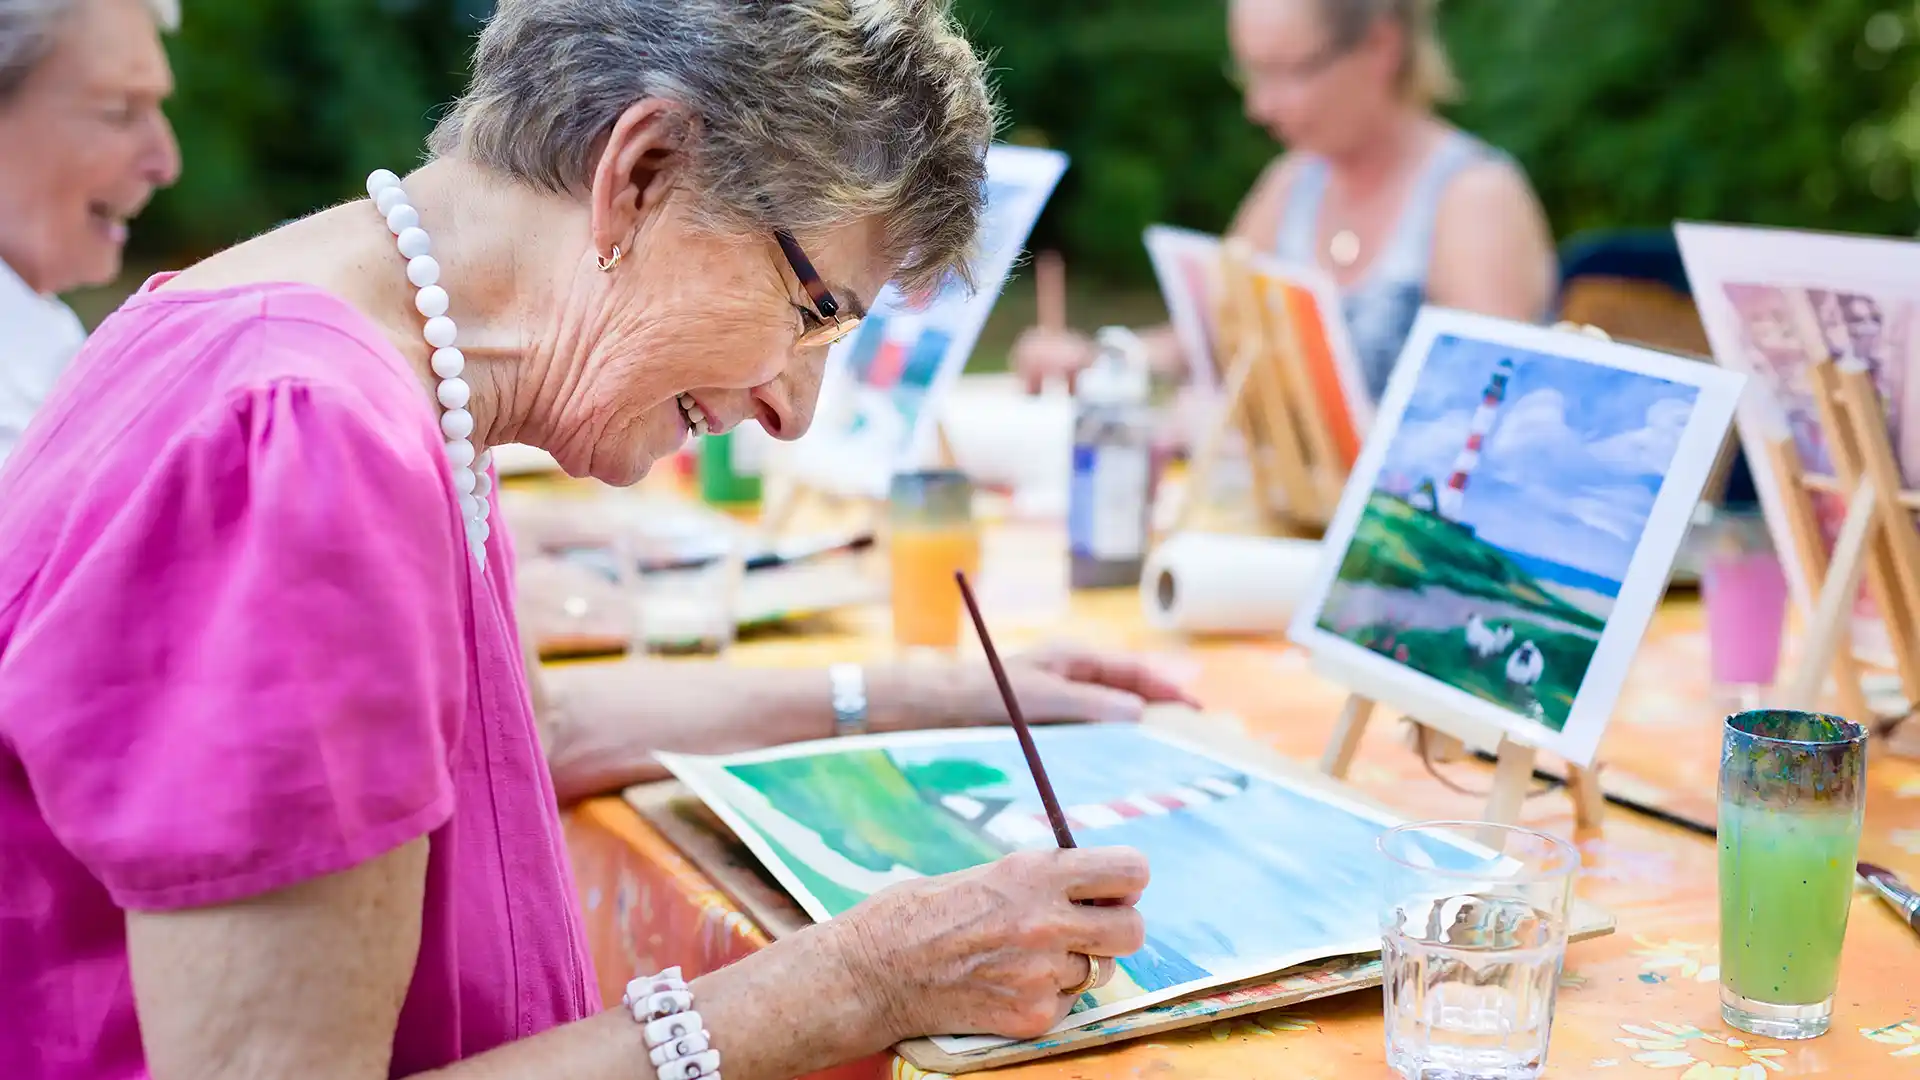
[1472, 941]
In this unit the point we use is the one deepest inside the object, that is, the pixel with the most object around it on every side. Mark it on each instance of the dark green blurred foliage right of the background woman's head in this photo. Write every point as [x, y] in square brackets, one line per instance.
[1643, 112]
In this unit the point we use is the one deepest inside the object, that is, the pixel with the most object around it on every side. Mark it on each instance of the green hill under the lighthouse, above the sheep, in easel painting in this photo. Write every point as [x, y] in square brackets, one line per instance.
[1401, 547]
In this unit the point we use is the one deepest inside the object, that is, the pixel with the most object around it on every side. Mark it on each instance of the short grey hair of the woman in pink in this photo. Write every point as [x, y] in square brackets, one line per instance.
[804, 114]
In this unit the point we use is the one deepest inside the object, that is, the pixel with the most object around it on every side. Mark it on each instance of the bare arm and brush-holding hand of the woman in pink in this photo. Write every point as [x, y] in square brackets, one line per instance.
[308, 983]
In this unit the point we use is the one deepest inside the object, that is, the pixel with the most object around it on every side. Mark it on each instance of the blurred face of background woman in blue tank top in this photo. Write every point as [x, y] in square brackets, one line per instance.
[1301, 84]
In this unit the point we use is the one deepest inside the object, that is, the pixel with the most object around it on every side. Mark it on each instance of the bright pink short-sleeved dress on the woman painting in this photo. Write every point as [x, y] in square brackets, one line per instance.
[243, 645]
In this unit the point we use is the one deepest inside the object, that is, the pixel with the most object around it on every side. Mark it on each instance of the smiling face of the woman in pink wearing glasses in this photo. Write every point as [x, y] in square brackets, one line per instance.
[700, 333]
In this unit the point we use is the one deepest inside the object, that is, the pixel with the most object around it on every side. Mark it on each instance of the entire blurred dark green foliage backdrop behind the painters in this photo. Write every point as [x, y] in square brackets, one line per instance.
[1625, 112]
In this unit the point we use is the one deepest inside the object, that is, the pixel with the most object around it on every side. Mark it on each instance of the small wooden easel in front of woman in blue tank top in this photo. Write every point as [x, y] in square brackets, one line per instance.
[1270, 401]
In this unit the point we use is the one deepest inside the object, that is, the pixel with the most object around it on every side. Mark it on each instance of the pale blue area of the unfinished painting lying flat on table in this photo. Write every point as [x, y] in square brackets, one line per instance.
[1268, 873]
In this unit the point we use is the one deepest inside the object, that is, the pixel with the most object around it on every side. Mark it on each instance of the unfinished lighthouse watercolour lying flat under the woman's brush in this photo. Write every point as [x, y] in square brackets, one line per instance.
[1253, 873]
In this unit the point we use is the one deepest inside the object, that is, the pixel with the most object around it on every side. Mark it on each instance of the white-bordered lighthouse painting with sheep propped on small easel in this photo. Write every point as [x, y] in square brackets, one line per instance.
[1512, 524]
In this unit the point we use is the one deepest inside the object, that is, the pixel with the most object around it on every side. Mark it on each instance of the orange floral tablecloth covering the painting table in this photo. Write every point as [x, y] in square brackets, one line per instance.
[1643, 1002]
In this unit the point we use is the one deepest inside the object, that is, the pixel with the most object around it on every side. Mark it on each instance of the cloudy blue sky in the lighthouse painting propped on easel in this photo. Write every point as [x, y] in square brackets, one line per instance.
[1575, 458]
